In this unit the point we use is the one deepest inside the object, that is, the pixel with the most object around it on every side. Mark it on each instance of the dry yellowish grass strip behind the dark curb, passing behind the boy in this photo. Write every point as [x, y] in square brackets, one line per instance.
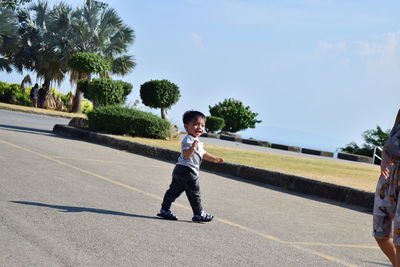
[358, 176]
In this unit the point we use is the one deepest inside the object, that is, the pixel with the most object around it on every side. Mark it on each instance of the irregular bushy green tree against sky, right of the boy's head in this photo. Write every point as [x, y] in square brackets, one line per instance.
[237, 116]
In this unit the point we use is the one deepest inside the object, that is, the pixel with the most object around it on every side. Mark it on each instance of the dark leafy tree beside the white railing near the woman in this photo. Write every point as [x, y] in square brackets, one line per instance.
[372, 138]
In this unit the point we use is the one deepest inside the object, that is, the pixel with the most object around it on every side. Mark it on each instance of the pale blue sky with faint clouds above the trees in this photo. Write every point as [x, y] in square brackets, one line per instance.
[318, 72]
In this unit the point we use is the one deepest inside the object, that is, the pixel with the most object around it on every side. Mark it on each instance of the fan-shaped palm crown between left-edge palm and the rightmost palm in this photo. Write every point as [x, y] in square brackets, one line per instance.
[42, 48]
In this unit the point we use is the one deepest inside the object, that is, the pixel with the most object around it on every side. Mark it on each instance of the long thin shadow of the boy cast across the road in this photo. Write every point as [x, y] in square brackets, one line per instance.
[84, 209]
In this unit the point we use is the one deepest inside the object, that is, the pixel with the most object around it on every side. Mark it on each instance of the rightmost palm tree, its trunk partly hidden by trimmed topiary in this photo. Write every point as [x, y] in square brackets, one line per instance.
[99, 30]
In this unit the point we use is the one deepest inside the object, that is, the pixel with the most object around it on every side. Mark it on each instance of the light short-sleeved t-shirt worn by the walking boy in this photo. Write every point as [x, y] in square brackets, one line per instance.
[195, 159]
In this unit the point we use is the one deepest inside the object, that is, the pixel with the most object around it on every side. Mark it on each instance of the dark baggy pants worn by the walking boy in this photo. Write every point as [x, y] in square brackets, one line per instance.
[183, 179]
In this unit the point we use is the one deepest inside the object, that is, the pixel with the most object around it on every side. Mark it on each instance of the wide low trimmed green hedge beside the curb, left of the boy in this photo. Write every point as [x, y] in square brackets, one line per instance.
[121, 120]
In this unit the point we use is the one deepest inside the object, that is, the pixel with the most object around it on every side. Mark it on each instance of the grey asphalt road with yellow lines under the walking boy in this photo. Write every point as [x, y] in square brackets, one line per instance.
[65, 202]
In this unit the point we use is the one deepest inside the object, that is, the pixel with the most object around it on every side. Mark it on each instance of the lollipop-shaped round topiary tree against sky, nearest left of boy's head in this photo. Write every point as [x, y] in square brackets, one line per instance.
[160, 94]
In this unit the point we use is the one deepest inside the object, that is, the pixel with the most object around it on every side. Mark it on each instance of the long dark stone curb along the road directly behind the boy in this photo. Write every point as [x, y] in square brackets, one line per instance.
[290, 182]
